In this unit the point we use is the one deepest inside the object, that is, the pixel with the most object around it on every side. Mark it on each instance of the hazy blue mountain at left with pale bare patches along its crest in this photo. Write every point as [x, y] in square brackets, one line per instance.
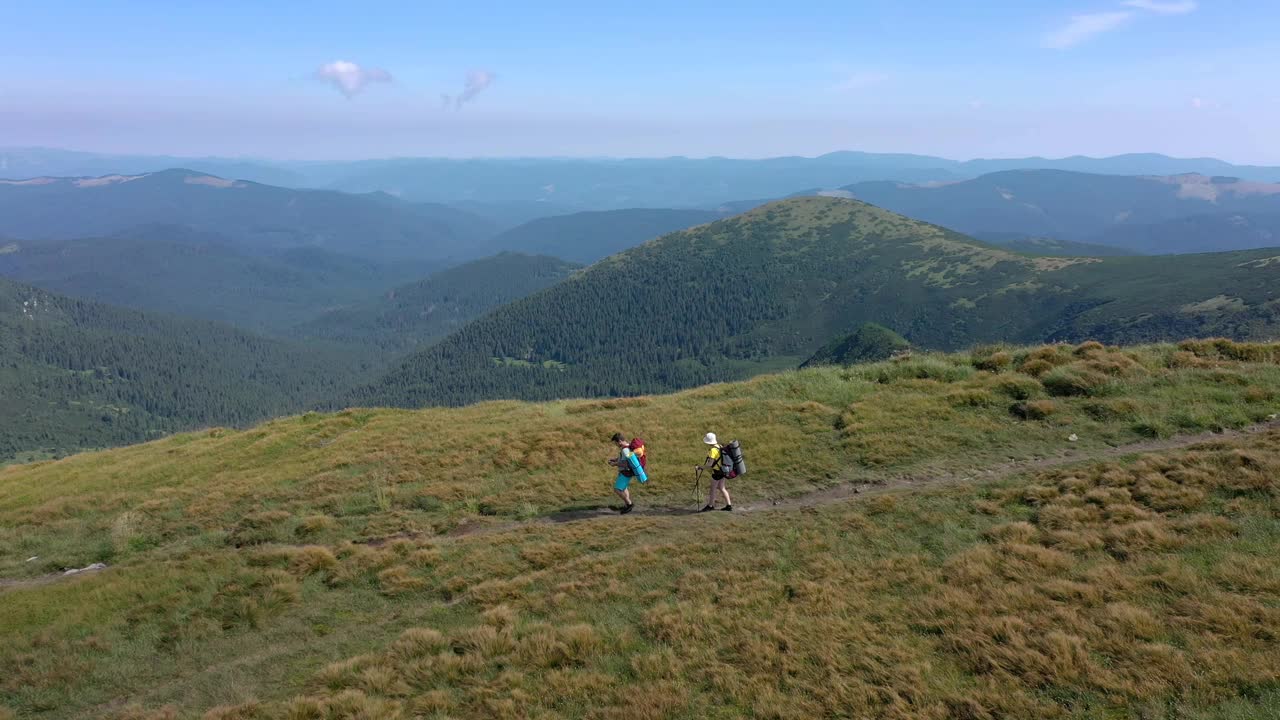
[257, 217]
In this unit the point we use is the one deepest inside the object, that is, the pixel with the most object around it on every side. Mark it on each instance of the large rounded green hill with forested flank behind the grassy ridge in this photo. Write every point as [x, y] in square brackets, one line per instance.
[770, 288]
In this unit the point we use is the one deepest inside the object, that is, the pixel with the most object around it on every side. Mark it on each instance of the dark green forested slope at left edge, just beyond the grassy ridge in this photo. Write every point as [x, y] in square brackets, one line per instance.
[80, 375]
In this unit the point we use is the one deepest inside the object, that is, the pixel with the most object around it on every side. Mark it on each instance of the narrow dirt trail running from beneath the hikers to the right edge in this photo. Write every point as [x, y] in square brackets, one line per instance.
[889, 484]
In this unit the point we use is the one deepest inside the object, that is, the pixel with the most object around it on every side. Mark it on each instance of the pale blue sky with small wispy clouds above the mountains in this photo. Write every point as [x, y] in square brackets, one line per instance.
[963, 80]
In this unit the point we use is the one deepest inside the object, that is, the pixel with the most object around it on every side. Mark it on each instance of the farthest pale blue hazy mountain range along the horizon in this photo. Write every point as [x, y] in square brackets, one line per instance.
[605, 184]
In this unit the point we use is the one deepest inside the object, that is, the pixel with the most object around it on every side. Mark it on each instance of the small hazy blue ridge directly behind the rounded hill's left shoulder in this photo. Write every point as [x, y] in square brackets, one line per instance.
[587, 238]
